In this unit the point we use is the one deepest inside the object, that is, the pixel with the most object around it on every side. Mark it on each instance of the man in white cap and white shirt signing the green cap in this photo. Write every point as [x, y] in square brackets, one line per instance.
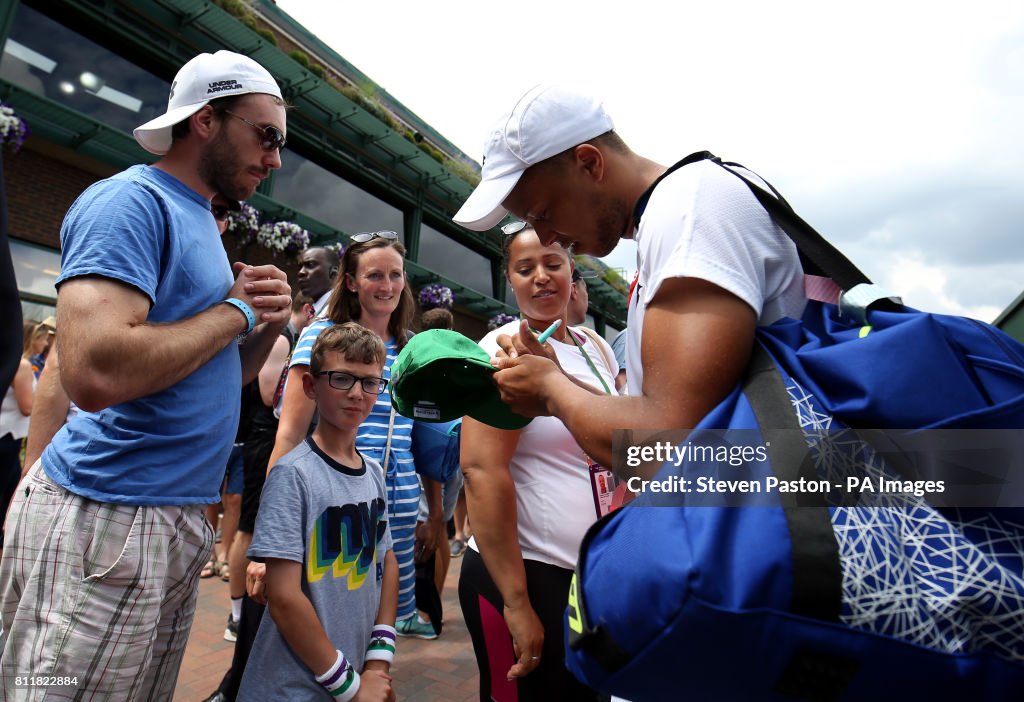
[712, 265]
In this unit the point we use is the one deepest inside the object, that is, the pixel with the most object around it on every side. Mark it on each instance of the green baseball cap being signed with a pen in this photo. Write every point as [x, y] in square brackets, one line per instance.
[442, 376]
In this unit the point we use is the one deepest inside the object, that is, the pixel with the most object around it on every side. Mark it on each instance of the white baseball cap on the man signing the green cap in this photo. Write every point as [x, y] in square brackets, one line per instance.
[547, 121]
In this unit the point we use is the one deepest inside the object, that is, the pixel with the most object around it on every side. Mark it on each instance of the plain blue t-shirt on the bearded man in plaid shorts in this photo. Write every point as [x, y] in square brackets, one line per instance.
[148, 230]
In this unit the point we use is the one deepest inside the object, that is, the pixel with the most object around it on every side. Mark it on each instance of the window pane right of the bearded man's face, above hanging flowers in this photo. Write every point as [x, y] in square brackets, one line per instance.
[317, 192]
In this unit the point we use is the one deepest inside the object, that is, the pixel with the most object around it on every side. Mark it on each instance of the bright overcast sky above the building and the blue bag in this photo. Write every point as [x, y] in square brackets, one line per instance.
[895, 128]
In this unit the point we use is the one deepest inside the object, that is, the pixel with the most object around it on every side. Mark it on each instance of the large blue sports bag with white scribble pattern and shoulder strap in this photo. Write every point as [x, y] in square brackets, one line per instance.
[803, 597]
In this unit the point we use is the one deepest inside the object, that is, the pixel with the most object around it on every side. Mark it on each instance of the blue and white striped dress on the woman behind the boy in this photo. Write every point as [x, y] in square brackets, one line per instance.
[402, 481]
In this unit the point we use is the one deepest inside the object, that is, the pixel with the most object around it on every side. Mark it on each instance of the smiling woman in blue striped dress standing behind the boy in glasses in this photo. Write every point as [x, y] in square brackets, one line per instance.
[371, 290]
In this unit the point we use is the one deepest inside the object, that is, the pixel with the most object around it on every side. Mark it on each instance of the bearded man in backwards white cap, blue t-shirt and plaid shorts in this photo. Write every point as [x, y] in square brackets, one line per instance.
[107, 537]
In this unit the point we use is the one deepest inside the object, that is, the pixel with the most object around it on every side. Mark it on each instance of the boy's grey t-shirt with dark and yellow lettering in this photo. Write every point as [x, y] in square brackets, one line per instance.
[333, 520]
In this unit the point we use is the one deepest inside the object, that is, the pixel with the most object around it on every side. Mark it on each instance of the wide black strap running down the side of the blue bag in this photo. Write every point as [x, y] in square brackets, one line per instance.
[818, 576]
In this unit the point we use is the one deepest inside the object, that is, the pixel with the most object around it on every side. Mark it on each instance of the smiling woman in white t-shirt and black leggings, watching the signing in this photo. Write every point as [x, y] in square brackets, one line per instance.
[532, 494]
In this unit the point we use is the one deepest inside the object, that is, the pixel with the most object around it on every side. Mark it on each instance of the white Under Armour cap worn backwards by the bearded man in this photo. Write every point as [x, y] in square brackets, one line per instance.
[206, 77]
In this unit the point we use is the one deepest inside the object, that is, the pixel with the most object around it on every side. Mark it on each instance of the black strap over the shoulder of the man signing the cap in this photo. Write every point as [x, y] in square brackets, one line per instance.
[818, 256]
